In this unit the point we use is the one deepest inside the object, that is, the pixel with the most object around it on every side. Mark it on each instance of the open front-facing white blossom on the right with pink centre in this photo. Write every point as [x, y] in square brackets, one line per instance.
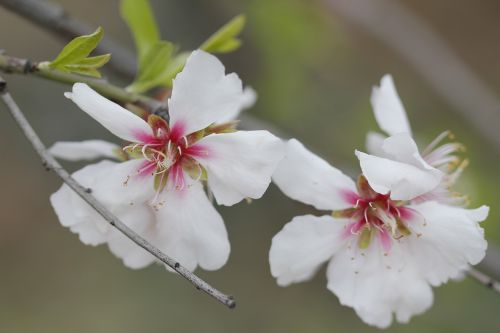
[383, 254]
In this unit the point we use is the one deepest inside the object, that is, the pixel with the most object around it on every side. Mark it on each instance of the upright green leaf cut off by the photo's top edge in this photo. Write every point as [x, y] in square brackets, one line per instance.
[140, 19]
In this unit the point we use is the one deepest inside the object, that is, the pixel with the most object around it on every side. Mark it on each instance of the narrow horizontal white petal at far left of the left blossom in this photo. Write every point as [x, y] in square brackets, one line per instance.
[84, 150]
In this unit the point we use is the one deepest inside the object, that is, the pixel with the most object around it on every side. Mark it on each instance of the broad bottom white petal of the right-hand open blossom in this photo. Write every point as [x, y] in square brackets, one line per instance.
[377, 286]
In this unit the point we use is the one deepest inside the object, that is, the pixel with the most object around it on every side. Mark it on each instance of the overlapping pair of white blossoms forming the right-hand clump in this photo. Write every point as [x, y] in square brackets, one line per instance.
[392, 234]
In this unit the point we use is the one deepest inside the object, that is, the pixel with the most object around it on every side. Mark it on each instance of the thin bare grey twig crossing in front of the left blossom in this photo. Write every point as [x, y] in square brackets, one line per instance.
[51, 164]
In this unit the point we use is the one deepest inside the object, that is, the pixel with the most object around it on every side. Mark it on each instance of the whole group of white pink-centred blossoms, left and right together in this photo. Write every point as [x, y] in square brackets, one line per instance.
[389, 236]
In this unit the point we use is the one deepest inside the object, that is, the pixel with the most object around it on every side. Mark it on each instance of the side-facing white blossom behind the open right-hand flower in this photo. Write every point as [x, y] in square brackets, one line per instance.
[395, 162]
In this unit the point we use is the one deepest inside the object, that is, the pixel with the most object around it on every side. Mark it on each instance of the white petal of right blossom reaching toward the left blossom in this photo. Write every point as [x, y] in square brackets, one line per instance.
[305, 177]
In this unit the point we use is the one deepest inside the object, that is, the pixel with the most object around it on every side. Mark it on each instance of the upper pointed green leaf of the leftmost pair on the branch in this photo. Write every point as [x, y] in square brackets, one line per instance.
[78, 49]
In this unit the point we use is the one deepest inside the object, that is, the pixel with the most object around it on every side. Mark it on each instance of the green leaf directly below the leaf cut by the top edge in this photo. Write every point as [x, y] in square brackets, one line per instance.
[155, 63]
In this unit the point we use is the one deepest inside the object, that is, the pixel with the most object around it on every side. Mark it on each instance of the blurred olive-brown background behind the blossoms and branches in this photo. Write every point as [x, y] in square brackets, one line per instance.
[313, 69]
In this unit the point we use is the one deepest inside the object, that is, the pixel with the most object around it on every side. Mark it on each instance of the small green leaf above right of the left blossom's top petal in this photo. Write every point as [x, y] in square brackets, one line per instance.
[224, 40]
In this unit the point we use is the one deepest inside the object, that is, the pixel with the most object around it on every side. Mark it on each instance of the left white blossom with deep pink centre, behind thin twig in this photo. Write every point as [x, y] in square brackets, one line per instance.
[158, 191]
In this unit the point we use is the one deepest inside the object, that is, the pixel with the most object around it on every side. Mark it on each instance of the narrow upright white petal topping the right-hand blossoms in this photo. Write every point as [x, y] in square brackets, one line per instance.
[389, 111]
